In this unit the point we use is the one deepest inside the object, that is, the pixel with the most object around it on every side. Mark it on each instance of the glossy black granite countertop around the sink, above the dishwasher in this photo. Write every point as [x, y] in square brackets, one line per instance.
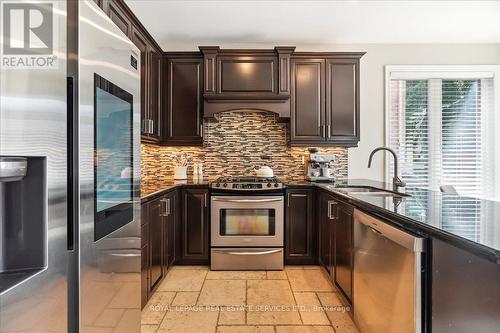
[466, 221]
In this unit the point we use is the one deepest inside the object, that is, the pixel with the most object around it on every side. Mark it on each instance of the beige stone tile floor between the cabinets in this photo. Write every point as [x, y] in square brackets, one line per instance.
[299, 299]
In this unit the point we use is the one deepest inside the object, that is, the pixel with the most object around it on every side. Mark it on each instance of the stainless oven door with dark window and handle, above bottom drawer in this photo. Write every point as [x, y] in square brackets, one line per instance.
[247, 221]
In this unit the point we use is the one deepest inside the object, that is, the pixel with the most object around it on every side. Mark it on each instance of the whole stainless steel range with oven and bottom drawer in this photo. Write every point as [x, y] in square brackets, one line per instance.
[247, 216]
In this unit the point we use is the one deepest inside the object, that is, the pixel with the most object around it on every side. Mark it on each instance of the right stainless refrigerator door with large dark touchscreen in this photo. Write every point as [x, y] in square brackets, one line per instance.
[110, 254]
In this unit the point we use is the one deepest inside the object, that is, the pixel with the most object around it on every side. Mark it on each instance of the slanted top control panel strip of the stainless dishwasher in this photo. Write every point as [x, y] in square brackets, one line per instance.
[382, 229]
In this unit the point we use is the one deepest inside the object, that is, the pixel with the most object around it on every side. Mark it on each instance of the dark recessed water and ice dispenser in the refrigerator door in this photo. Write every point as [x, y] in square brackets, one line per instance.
[23, 219]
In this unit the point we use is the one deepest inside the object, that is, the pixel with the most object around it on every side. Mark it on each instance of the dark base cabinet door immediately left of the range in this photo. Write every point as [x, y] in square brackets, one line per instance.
[195, 249]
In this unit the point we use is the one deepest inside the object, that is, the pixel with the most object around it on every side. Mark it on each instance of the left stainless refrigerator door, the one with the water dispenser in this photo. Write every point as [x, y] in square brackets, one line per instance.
[33, 210]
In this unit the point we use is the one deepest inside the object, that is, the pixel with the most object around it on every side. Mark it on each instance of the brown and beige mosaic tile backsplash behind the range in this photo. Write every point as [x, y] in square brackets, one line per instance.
[233, 147]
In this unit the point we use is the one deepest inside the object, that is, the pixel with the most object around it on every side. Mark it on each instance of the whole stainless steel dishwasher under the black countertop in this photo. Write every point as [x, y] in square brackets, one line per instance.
[387, 277]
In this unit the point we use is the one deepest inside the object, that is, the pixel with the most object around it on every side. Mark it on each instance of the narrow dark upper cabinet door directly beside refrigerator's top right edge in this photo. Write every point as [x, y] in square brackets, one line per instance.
[141, 43]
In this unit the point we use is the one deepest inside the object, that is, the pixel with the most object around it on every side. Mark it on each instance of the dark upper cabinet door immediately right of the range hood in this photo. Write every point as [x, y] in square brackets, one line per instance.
[307, 100]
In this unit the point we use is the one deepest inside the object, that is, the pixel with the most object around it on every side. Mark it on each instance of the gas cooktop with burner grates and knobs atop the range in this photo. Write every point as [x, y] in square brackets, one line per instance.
[247, 183]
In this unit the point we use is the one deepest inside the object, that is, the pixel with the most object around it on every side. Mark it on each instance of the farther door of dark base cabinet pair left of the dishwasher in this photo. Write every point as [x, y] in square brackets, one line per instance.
[324, 230]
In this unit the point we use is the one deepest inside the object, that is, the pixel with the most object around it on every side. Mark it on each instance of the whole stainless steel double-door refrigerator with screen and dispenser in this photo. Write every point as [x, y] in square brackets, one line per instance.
[69, 170]
